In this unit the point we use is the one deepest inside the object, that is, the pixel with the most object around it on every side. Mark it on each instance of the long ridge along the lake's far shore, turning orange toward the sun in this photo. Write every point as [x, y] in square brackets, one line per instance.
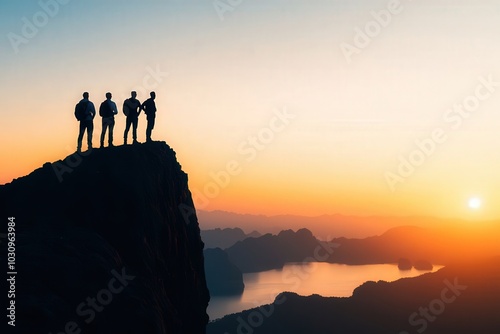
[436, 246]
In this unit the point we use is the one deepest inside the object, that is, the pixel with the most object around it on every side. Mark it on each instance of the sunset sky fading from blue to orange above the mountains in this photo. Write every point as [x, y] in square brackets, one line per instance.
[221, 83]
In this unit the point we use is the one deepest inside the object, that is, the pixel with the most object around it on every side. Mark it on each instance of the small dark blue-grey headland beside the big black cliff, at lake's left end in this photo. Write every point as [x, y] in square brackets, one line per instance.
[223, 277]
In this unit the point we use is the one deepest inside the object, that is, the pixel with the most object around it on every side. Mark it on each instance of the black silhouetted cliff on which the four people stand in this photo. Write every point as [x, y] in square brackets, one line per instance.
[107, 242]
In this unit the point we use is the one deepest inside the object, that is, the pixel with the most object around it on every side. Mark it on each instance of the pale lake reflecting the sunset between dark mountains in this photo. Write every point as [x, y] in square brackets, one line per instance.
[325, 279]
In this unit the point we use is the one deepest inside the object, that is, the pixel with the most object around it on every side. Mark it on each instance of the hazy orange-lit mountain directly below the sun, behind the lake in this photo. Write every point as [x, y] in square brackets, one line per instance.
[422, 246]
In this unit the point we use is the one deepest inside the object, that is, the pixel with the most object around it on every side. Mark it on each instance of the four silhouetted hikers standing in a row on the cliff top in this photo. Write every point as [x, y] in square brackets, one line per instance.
[85, 112]
